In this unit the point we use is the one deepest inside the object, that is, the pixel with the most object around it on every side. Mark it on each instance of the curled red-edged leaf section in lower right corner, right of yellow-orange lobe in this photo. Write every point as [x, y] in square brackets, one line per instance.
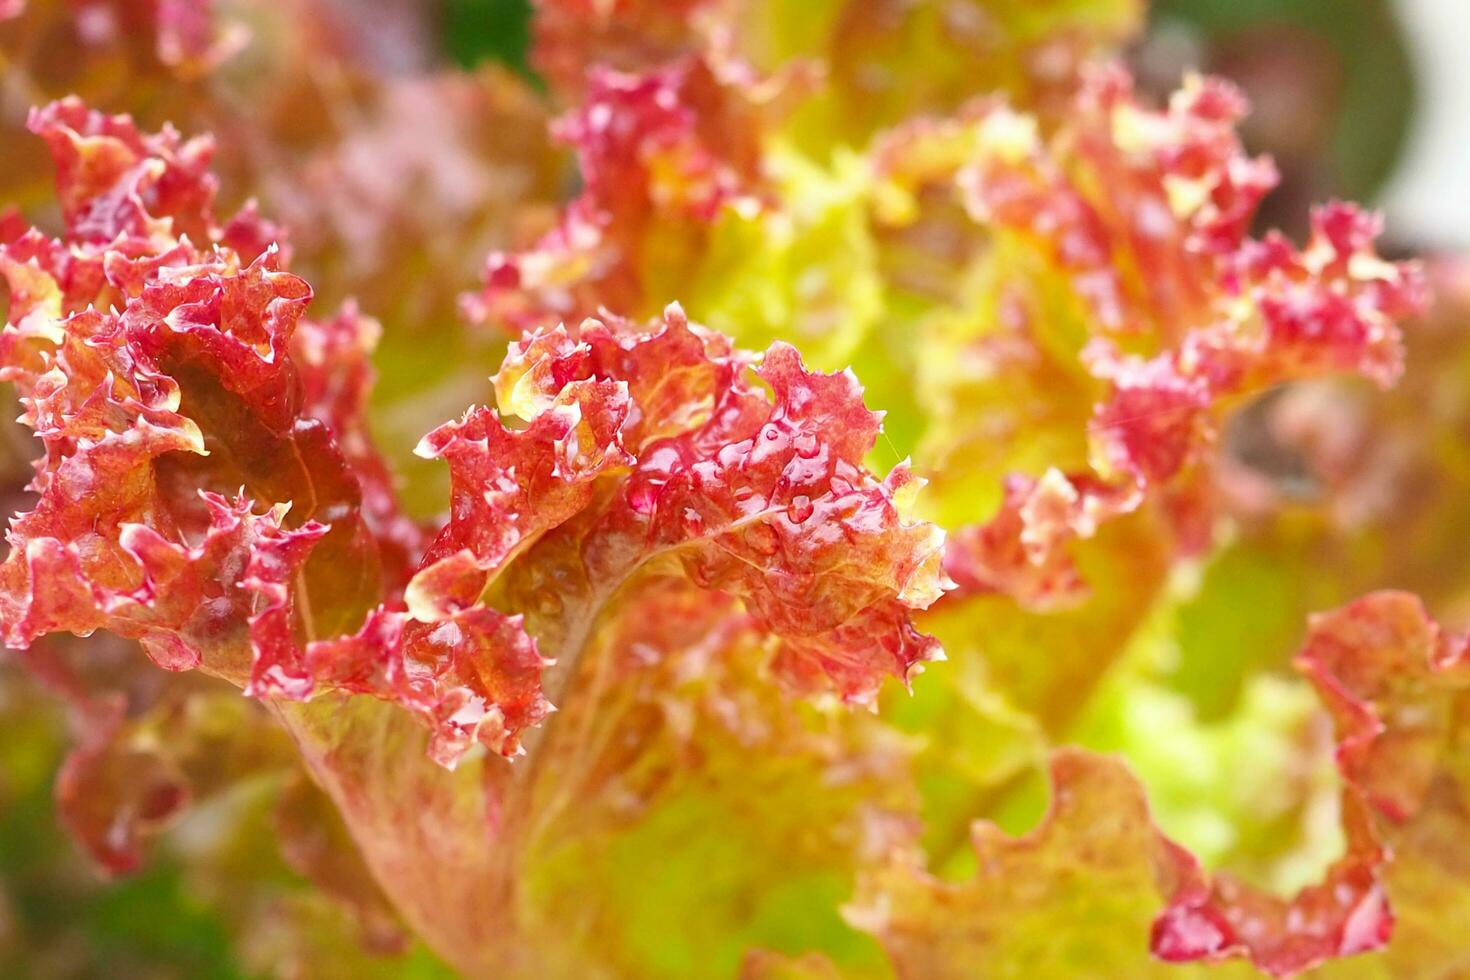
[1391, 680]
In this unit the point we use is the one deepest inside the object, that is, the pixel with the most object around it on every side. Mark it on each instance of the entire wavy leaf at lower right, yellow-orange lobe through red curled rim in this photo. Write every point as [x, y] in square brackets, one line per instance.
[1396, 685]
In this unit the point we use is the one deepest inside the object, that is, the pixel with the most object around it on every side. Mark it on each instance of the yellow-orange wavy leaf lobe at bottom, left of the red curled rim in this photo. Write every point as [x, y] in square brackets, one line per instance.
[1071, 898]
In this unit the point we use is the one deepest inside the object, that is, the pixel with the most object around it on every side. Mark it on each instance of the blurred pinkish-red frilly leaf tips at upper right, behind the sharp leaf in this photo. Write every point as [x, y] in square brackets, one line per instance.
[1146, 214]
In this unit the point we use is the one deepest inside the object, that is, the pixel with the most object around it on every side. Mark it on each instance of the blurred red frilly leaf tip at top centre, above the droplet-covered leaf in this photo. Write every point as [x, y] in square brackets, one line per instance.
[667, 148]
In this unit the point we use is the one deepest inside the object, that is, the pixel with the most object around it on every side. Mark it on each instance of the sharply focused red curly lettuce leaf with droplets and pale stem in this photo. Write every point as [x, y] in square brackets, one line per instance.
[624, 461]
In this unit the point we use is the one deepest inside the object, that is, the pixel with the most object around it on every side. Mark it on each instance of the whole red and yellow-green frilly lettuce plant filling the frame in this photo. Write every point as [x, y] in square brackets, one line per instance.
[877, 340]
